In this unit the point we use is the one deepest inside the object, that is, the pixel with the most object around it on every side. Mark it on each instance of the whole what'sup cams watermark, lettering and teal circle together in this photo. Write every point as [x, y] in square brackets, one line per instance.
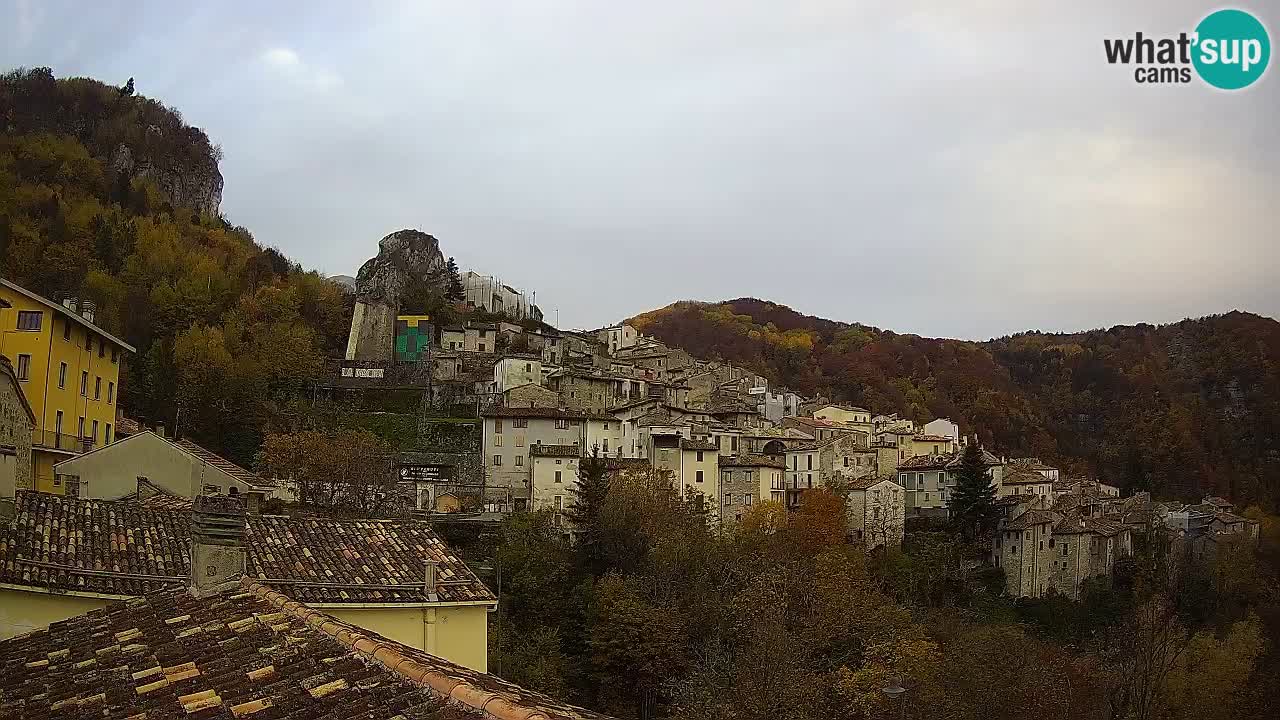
[1229, 51]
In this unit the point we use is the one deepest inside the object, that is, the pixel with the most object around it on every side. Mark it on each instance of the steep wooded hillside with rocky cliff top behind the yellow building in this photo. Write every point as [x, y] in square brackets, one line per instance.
[111, 197]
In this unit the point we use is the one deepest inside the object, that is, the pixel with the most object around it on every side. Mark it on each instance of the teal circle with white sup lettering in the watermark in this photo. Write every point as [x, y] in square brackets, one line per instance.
[1232, 49]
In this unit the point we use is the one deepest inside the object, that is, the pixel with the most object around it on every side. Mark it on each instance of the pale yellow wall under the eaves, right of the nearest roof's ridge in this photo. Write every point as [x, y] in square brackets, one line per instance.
[458, 635]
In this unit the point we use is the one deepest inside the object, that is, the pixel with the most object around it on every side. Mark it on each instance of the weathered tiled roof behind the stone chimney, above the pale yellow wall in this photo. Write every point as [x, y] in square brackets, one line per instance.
[122, 549]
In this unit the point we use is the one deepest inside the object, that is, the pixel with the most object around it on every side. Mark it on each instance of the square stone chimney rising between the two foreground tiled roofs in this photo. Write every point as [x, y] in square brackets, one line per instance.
[218, 552]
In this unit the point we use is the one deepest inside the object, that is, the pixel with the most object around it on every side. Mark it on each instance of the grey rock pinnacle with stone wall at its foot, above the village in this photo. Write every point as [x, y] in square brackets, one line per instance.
[404, 258]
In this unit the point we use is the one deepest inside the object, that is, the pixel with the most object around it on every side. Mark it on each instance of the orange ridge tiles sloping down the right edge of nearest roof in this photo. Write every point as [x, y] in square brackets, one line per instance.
[386, 654]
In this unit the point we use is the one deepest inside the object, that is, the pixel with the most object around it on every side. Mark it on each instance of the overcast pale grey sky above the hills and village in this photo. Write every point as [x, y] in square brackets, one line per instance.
[934, 167]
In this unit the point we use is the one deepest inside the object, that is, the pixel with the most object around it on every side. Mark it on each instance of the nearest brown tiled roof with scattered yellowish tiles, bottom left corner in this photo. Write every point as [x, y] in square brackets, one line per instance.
[248, 654]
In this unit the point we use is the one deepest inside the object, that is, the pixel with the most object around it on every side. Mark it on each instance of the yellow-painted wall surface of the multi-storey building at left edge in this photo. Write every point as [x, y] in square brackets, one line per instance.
[48, 352]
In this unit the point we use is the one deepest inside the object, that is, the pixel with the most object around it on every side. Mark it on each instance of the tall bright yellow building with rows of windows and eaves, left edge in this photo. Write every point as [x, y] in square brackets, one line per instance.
[71, 373]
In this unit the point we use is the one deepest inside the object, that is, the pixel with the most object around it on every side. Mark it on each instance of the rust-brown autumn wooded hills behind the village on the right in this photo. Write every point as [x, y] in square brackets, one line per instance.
[1181, 409]
